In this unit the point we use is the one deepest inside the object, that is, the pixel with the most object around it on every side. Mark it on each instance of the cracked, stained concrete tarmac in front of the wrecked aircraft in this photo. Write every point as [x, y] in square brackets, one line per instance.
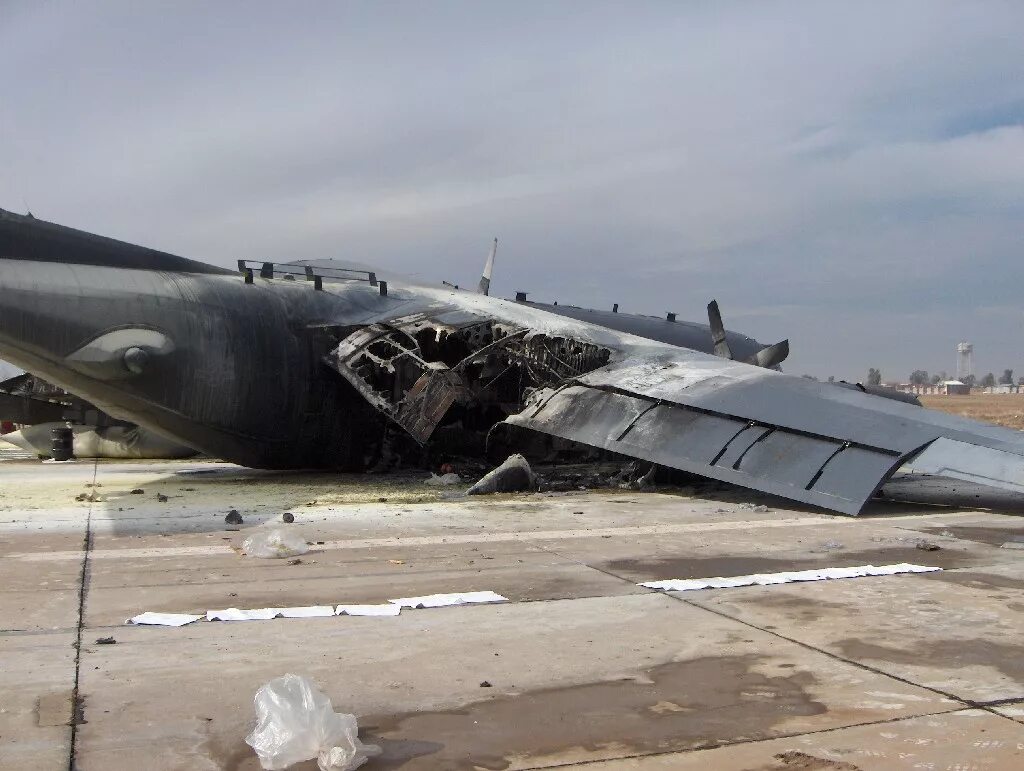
[586, 668]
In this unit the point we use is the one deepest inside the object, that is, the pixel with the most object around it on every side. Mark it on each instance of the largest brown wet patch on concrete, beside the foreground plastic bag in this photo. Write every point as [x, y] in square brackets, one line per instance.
[680, 706]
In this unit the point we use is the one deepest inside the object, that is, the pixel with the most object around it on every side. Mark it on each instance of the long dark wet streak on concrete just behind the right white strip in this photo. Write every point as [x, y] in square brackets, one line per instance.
[662, 569]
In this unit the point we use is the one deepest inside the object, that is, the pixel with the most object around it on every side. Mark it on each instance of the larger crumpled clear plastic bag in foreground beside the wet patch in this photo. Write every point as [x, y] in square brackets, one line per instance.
[295, 722]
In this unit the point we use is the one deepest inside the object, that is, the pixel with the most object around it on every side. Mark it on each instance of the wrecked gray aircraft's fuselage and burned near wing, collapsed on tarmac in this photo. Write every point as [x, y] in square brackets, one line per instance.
[310, 364]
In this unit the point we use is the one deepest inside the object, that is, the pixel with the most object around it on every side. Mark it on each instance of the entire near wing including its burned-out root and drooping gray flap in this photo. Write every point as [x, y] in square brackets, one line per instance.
[724, 420]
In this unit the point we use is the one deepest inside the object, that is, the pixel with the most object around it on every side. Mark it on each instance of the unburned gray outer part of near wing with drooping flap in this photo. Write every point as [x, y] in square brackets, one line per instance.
[780, 435]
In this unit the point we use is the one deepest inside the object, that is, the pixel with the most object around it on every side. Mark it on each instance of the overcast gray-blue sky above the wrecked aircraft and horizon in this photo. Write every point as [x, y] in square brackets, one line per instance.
[848, 176]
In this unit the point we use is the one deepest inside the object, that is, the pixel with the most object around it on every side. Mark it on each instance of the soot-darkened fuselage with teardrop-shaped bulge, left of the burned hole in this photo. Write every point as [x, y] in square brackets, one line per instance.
[200, 357]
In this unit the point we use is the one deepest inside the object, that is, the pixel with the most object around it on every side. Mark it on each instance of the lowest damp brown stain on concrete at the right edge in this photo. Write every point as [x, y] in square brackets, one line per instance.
[950, 655]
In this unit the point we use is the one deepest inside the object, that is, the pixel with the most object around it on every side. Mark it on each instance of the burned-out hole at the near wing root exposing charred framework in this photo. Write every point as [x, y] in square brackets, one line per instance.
[422, 372]
